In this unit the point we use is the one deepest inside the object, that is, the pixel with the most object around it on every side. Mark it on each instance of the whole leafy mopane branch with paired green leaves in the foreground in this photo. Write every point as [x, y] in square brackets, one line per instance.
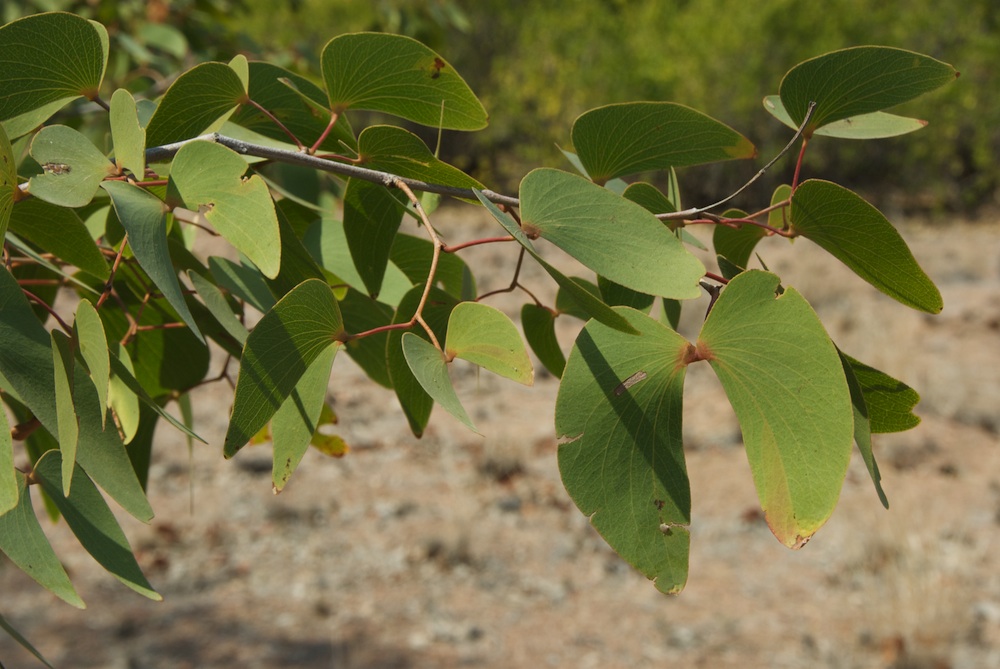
[107, 201]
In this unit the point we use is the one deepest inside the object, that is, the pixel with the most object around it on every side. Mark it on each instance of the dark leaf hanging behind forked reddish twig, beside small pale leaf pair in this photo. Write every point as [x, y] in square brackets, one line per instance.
[413, 399]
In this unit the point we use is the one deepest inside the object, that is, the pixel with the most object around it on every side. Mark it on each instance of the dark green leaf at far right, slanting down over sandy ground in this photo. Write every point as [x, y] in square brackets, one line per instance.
[857, 234]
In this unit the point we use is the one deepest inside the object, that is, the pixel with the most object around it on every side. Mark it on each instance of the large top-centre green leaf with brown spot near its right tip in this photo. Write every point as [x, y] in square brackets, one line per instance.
[398, 75]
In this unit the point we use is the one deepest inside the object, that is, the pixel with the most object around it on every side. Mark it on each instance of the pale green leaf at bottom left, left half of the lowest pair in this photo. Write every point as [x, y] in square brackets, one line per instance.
[22, 540]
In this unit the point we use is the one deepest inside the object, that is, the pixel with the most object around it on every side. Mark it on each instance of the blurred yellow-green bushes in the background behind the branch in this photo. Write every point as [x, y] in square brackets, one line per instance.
[540, 66]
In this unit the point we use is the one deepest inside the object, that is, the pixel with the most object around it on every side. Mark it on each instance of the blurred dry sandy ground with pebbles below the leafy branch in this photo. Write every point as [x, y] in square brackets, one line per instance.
[458, 550]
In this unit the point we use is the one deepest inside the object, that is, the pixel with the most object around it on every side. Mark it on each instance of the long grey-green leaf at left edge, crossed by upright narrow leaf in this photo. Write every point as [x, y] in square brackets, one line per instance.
[26, 361]
